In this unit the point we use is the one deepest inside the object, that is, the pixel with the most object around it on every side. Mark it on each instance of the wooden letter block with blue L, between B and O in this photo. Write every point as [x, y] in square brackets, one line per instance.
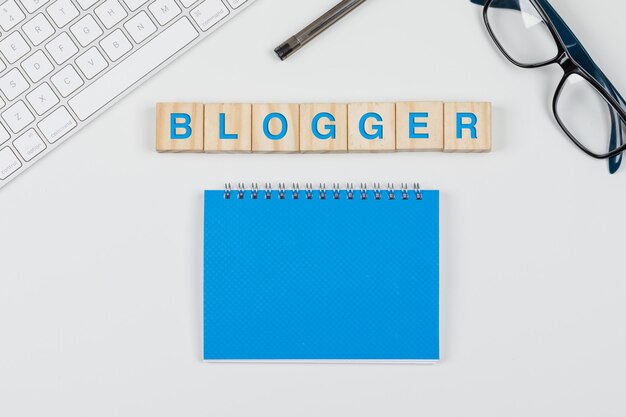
[228, 128]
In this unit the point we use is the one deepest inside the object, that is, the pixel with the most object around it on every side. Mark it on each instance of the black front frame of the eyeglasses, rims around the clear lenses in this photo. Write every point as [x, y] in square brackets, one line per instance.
[570, 67]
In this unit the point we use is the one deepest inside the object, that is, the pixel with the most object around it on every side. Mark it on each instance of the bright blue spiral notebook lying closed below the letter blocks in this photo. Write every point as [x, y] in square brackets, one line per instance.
[310, 275]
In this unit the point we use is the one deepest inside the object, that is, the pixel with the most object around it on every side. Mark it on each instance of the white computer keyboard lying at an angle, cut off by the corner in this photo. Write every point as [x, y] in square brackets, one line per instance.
[63, 62]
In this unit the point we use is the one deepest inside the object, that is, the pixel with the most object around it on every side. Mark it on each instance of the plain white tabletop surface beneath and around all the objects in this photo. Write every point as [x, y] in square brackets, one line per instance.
[101, 256]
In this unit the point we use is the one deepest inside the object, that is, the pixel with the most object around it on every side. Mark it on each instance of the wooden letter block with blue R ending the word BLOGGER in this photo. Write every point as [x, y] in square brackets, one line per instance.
[467, 127]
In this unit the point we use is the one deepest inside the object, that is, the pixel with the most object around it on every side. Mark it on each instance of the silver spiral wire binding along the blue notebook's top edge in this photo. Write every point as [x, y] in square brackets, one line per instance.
[335, 192]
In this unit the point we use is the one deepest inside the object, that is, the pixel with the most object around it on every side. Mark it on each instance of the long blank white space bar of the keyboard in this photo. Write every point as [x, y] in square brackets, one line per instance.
[134, 68]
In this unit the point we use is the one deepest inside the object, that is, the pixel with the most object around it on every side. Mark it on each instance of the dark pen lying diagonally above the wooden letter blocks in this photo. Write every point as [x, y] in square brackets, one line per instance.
[309, 33]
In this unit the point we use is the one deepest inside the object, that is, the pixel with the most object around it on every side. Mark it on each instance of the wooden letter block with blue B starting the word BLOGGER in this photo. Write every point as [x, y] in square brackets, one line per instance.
[180, 127]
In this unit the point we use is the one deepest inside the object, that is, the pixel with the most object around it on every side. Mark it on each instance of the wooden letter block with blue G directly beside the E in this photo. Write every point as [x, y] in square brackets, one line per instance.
[372, 127]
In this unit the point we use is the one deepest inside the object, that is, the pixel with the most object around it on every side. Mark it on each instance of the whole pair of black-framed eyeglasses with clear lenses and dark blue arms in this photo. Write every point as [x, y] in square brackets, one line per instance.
[587, 106]
